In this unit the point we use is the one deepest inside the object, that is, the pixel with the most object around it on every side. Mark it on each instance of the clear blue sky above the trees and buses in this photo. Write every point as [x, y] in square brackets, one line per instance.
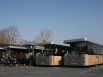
[66, 18]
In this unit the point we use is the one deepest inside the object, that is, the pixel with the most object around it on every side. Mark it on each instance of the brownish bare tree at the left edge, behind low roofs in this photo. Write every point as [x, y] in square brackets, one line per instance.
[9, 35]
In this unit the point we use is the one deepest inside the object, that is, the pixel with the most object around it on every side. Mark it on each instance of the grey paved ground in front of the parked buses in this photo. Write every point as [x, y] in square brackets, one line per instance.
[33, 71]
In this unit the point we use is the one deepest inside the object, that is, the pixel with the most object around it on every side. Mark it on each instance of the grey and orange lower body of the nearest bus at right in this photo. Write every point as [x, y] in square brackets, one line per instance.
[83, 60]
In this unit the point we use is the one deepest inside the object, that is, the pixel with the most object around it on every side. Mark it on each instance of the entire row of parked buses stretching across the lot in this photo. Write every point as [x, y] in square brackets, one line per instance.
[75, 52]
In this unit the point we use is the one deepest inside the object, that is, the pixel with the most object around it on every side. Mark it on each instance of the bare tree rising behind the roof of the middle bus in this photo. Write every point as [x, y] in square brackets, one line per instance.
[44, 36]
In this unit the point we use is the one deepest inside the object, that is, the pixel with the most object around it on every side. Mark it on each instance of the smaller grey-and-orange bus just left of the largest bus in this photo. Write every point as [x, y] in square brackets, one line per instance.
[52, 55]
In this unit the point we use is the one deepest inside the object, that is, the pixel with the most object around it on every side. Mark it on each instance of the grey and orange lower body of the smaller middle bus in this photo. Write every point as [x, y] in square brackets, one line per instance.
[48, 60]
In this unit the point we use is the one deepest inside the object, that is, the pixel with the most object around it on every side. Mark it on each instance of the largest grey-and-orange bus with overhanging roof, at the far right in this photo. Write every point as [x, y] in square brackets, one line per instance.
[83, 52]
